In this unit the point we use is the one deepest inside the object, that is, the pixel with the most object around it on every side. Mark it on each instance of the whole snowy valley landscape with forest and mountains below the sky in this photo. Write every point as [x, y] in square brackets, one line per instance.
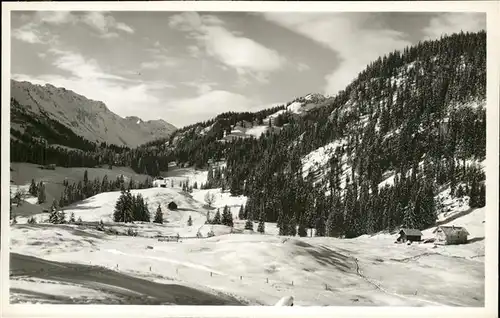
[319, 198]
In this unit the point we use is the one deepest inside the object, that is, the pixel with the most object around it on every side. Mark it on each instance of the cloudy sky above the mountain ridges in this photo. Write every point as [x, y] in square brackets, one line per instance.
[185, 67]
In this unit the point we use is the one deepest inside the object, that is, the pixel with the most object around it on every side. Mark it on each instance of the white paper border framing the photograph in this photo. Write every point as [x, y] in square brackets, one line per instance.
[490, 8]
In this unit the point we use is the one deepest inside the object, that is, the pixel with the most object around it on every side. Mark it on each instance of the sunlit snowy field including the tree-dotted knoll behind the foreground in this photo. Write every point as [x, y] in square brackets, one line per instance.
[254, 268]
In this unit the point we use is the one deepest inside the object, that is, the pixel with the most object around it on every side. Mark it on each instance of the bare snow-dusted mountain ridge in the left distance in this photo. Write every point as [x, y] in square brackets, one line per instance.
[86, 118]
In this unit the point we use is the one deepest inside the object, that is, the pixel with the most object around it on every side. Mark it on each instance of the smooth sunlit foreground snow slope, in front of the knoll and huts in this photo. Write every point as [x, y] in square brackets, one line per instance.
[261, 269]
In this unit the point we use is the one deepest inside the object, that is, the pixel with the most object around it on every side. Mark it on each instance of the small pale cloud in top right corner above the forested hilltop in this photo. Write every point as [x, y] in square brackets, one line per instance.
[449, 23]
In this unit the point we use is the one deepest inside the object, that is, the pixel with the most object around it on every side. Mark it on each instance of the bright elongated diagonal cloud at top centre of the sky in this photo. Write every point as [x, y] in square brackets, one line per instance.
[244, 55]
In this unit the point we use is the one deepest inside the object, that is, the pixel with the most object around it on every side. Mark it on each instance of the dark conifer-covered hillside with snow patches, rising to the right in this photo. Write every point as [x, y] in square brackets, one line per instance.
[371, 158]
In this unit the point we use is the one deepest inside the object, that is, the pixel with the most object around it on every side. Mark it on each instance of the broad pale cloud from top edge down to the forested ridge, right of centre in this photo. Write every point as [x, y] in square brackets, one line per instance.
[347, 35]
